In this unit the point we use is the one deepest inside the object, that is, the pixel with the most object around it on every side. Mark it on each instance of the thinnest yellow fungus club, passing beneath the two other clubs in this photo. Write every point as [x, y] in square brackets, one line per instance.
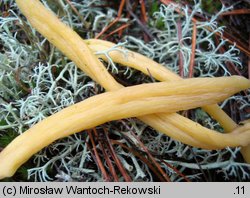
[159, 72]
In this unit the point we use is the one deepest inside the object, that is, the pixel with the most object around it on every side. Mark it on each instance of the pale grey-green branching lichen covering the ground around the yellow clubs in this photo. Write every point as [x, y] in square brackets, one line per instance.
[36, 80]
